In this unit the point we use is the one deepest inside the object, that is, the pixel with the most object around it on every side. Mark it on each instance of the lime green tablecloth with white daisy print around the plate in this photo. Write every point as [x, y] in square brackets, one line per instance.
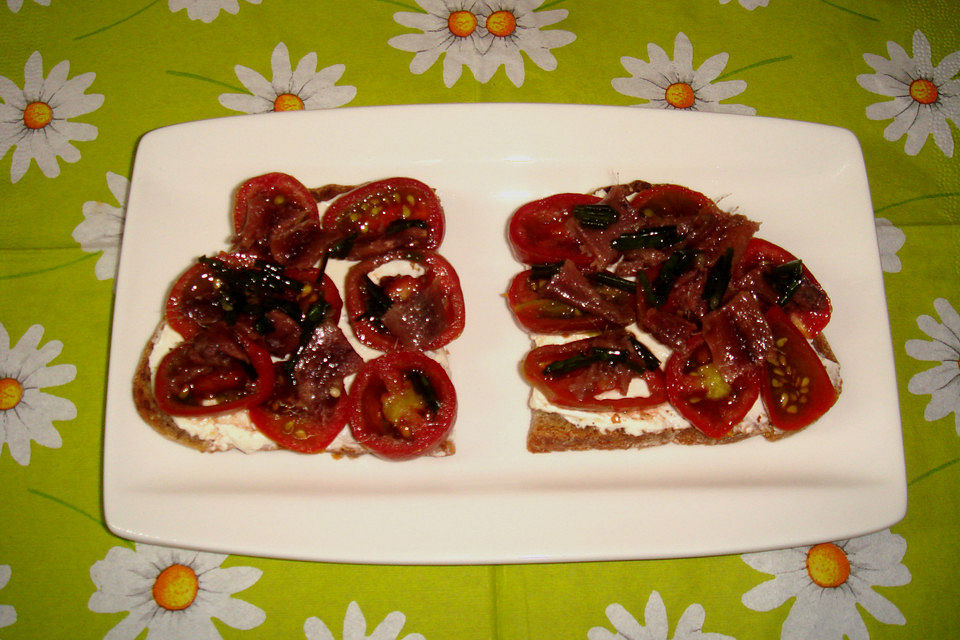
[81, 81]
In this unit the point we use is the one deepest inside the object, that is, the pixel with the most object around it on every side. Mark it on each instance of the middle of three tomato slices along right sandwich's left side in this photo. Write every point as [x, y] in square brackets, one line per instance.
[538, 311]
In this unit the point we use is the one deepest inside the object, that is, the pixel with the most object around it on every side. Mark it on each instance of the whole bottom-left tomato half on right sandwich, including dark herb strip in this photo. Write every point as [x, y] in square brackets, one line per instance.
[575, 374]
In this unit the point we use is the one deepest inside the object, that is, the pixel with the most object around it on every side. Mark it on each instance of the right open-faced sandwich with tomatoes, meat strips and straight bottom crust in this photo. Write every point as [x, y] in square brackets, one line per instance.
[656, 317]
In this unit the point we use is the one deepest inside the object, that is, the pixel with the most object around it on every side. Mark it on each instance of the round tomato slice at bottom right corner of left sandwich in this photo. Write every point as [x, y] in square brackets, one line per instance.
[403, 405]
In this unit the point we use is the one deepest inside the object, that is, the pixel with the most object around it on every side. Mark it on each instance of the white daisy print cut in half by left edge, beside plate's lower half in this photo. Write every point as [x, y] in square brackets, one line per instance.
[26, 412]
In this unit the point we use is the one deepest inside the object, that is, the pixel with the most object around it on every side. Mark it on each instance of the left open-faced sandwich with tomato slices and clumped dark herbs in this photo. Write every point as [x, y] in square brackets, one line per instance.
[313, 332]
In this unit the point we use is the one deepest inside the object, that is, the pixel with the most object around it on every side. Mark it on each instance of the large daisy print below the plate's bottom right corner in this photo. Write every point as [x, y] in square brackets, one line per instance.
[829, 581]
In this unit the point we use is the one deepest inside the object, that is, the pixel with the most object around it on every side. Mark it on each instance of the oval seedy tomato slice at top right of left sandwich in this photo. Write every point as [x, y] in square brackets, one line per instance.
[385, 215]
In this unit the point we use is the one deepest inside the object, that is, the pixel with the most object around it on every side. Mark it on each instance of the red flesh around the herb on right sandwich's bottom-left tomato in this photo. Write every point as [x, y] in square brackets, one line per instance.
[560, 389]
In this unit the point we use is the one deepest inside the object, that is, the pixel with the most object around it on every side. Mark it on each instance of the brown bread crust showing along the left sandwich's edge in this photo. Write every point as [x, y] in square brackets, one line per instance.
[146, 404]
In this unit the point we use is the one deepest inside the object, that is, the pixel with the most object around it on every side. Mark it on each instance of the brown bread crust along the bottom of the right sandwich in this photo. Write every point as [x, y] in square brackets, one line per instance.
[550, 432]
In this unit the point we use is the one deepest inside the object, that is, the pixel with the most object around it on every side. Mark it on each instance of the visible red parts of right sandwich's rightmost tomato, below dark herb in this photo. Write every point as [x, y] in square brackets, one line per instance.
[809, 308]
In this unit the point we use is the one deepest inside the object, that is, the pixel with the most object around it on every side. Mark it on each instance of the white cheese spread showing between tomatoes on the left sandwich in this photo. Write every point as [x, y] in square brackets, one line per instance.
[235, 429]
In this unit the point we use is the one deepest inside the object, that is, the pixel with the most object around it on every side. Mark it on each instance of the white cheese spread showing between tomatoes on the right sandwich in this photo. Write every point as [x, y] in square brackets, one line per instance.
[656, 419]
